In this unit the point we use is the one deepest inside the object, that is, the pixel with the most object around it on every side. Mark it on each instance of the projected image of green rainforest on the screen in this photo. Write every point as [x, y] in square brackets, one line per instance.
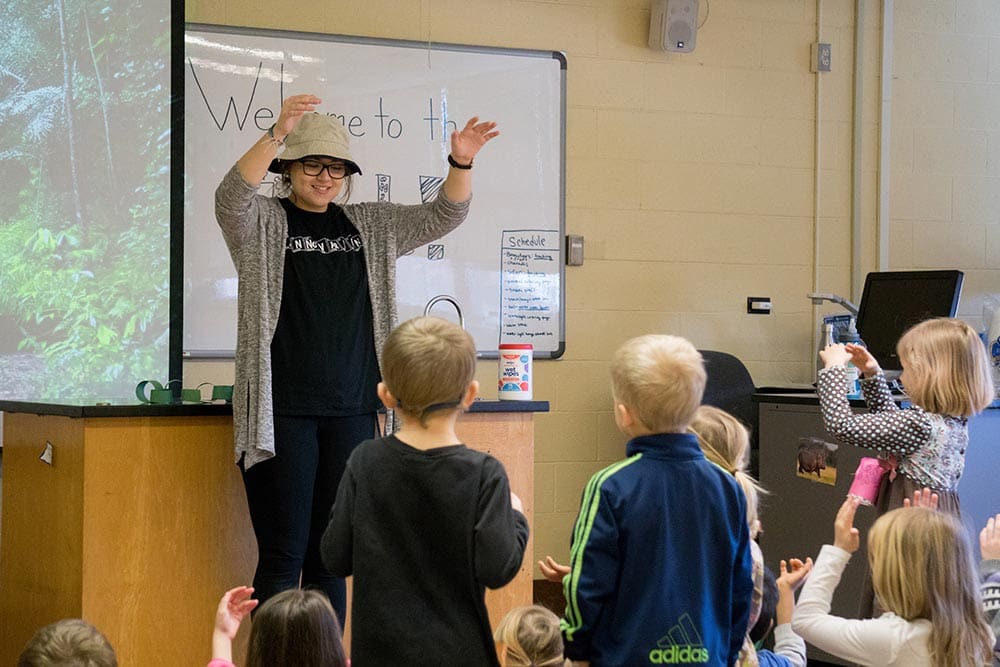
[84, 183]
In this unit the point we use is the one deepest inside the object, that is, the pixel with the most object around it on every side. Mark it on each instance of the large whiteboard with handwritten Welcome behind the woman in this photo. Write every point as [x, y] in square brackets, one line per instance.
[399, 100]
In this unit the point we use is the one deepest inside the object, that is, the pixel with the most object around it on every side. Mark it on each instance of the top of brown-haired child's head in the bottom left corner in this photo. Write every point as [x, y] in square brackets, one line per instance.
[71, 642]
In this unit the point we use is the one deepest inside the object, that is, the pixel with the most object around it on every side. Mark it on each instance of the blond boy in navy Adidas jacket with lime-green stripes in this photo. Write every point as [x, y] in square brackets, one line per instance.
[660, 570]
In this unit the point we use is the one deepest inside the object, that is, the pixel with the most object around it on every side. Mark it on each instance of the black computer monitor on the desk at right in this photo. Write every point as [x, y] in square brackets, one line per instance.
[893, 301]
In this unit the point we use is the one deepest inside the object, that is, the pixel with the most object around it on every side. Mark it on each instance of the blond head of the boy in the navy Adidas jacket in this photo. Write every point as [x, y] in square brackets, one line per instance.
[660, 379]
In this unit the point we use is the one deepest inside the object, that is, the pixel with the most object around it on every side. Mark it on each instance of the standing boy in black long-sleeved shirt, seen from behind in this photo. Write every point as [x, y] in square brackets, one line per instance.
[423, 523]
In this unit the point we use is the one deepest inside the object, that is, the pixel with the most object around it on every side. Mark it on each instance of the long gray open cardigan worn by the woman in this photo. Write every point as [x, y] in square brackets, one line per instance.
[255, 228]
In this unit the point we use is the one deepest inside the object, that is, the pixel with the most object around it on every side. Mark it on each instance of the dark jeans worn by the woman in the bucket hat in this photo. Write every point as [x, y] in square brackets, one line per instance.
[290, 496]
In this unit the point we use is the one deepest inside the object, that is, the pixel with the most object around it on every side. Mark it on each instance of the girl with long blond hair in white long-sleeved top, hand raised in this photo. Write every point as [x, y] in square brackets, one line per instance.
[924, 577]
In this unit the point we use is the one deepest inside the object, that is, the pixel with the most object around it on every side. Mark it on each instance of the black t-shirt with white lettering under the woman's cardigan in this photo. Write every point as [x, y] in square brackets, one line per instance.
[323, 351]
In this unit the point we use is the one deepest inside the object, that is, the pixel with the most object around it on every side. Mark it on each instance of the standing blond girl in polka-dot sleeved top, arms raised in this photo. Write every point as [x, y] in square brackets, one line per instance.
[946, 375]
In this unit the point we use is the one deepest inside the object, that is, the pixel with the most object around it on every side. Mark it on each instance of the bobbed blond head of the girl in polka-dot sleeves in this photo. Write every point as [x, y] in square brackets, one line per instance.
[947, 370]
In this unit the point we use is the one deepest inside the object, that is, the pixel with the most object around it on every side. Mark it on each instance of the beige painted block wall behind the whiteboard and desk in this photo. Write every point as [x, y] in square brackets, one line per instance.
[694, 178]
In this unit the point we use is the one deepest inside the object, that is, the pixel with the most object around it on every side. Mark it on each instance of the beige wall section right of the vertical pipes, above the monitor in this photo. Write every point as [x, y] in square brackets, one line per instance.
[945, 174]
